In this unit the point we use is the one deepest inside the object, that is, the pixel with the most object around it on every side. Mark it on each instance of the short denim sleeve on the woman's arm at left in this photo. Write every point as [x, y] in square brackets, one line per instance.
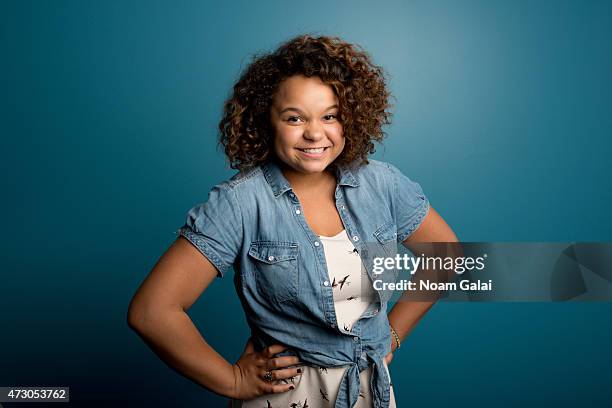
[215, 228]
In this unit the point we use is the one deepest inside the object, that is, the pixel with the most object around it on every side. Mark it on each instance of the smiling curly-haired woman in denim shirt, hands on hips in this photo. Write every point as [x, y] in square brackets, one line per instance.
[296, 223]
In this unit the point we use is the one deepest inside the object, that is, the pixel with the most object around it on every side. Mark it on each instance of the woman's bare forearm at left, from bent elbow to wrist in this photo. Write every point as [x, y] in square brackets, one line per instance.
[175, 339]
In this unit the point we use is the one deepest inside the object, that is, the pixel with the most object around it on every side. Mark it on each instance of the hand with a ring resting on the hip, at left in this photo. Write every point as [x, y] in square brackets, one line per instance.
[251, 367]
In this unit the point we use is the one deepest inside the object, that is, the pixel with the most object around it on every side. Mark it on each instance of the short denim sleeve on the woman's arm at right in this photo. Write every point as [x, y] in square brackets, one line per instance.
[409, 203]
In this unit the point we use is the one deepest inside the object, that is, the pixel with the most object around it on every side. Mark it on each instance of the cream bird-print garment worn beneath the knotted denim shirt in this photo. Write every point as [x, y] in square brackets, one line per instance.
[317, 387]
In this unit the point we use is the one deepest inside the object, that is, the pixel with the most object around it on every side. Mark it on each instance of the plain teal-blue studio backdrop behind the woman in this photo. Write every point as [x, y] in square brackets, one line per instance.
[109, 113]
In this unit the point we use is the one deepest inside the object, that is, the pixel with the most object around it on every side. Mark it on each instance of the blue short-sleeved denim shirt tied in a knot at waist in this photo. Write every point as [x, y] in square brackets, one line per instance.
[255, 223]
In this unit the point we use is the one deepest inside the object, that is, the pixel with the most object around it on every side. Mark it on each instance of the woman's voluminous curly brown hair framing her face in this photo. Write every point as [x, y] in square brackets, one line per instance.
[360, 86]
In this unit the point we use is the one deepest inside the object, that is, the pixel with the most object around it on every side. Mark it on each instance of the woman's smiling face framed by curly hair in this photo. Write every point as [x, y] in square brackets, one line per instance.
[304, 116]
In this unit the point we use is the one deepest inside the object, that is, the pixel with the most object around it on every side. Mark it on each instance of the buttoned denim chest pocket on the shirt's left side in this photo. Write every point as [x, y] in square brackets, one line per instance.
[277, 269]
